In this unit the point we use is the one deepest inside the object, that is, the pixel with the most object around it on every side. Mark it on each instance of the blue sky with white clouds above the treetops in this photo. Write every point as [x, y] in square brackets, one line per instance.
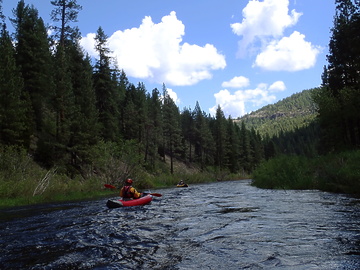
[239, 54]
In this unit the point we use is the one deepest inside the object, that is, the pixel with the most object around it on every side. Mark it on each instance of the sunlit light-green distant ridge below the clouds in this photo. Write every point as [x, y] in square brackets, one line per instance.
[286, 115]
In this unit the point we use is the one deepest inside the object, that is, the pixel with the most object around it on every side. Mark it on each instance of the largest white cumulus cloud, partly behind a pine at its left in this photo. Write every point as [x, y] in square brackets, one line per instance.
[157, 52]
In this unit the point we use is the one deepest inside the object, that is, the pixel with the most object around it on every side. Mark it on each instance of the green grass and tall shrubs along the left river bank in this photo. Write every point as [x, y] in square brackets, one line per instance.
[23, 182]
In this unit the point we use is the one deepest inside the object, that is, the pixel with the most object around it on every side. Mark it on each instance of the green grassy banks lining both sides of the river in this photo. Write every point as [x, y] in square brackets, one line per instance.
[338, 173]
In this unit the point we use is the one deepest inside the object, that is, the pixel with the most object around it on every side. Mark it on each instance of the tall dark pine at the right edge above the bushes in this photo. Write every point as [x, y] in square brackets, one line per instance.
[339, 98]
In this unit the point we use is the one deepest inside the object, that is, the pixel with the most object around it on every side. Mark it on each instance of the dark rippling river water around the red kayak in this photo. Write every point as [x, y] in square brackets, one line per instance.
[223, 225]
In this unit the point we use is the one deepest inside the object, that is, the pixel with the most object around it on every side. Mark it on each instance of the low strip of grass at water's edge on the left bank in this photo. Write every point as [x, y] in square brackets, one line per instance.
[30, 191]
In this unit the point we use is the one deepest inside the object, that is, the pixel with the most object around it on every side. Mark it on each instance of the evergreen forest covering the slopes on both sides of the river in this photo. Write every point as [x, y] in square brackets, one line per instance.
[66, 118]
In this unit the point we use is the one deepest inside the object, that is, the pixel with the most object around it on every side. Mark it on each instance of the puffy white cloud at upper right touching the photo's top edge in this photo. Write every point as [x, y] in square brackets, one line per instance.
[262, 31]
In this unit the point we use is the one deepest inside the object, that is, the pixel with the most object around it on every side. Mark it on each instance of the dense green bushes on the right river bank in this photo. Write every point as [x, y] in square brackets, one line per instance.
[335, 173]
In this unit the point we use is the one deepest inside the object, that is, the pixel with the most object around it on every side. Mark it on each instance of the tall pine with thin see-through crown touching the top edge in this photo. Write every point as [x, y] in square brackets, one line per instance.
[65, 12]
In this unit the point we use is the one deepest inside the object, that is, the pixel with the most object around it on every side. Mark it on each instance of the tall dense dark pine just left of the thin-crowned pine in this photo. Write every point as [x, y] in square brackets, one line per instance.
[35, 62]
